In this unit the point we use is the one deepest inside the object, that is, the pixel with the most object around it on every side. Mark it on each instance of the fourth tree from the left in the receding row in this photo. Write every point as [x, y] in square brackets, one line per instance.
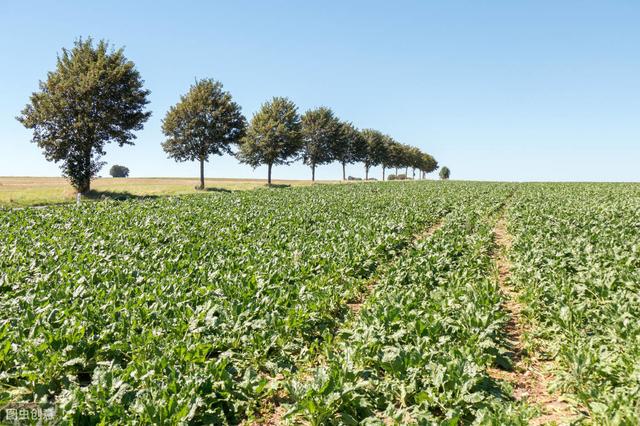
[320, 131]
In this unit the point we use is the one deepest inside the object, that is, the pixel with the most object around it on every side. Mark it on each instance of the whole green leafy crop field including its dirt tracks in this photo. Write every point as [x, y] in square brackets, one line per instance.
[377, 303]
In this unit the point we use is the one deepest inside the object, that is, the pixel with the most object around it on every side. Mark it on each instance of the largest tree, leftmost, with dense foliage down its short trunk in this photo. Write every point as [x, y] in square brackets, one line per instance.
[95, 96]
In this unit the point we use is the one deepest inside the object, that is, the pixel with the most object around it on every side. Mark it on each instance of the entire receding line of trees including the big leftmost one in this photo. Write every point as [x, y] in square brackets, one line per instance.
[96, 96]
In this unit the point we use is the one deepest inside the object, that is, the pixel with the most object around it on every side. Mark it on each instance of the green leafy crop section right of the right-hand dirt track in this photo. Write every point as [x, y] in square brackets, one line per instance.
[576, 263]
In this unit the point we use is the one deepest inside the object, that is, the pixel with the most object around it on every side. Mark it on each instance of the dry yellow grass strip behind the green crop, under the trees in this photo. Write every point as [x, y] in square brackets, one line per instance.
[34, 191]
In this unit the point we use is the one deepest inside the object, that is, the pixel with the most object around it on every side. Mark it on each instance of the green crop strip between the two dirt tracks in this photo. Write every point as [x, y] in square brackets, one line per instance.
[418, 350]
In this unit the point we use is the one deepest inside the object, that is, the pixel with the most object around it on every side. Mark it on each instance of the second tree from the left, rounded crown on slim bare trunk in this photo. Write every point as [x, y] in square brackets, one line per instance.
[204, 122]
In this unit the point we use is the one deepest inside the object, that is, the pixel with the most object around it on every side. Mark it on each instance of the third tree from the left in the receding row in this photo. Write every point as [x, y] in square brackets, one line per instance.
[273, 136]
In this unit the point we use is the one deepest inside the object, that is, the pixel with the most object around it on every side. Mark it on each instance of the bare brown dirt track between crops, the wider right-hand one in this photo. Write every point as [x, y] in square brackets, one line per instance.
[530, 378]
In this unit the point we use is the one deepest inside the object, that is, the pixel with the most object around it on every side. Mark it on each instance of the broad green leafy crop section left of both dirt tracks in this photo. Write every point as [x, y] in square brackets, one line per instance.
[192, 308]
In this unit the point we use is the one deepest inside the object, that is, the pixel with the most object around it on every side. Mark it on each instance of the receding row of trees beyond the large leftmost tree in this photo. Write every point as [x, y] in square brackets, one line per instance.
[207, 122]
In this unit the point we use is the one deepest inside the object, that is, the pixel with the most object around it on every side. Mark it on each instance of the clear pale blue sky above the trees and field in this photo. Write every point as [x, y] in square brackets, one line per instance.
[497, 90]
